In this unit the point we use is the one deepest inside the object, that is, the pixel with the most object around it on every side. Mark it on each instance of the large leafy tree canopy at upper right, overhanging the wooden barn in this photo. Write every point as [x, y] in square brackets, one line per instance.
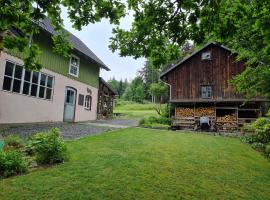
[161, 28]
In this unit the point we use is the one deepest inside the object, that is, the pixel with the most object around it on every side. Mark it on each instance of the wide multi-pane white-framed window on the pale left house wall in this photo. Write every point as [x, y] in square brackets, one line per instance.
[23, 81]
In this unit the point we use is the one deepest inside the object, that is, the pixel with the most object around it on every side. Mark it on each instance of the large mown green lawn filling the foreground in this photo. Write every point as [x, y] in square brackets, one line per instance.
[138, 163]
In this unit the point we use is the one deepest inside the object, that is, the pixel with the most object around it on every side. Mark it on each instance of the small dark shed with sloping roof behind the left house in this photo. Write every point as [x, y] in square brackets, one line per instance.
[106, 96]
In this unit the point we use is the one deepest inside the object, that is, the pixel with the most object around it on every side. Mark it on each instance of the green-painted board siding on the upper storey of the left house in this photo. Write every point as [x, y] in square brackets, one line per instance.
[89, 71]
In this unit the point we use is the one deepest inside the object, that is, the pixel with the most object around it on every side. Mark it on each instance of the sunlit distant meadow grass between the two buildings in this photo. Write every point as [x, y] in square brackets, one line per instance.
[132, 110]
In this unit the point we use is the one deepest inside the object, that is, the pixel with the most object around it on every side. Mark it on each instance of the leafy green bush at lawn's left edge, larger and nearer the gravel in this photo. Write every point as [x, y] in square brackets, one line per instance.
[48, 147]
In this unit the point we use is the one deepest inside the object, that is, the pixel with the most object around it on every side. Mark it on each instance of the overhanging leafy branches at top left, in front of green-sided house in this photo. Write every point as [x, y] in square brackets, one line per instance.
[24, 15]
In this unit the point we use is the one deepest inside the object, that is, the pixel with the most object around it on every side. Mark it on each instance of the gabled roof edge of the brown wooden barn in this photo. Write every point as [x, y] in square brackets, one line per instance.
[179, 62]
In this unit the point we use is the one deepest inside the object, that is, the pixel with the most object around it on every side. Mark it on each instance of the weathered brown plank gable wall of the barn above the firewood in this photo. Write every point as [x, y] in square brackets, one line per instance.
[187, 79]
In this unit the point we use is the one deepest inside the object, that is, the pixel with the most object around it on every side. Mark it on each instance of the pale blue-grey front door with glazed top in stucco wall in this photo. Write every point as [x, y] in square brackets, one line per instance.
[70, 101]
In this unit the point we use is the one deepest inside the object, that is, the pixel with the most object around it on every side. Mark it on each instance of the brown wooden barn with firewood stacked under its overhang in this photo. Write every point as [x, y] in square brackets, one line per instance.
[200, 88]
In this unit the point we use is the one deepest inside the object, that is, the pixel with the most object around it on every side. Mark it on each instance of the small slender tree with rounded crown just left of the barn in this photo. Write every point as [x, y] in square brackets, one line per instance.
[159, 90]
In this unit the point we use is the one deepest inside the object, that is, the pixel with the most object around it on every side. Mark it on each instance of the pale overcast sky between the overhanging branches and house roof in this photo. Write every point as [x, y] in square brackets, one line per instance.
[96, 37]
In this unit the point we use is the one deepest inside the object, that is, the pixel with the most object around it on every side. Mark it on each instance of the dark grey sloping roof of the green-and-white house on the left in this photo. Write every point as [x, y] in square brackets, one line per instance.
[46, 25]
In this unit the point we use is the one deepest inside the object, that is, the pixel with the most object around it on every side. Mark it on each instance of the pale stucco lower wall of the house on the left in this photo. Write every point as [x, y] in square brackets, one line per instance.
[18, 108]
